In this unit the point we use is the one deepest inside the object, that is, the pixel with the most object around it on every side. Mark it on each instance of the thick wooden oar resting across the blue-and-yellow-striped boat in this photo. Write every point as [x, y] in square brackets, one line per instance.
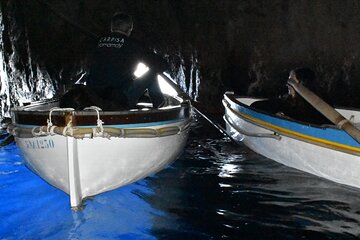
[324, 108]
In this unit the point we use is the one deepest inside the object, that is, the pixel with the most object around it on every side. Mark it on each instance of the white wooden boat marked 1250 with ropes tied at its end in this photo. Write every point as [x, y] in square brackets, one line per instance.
[88, 152]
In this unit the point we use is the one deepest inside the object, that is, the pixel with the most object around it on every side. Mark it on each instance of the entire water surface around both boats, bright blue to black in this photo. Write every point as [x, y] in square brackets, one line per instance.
[215, 190]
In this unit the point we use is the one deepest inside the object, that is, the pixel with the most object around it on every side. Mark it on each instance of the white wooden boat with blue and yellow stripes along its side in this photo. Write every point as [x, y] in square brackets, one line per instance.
[325, 151]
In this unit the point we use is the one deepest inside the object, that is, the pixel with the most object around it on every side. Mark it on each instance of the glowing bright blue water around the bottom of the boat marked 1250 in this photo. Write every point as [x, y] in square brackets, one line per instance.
[32, 209]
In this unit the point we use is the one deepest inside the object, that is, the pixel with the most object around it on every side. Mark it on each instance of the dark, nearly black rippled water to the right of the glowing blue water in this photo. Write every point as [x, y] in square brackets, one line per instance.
[225, 191]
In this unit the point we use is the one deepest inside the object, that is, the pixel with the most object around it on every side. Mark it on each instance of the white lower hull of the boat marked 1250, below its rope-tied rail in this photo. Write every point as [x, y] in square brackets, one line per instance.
[98, 164]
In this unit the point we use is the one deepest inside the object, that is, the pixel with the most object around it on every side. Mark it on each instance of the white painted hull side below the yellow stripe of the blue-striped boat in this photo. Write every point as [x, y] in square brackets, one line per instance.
[327, 163]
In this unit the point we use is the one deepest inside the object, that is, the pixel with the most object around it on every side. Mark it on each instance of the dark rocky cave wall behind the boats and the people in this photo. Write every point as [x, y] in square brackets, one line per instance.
[247, 46]
